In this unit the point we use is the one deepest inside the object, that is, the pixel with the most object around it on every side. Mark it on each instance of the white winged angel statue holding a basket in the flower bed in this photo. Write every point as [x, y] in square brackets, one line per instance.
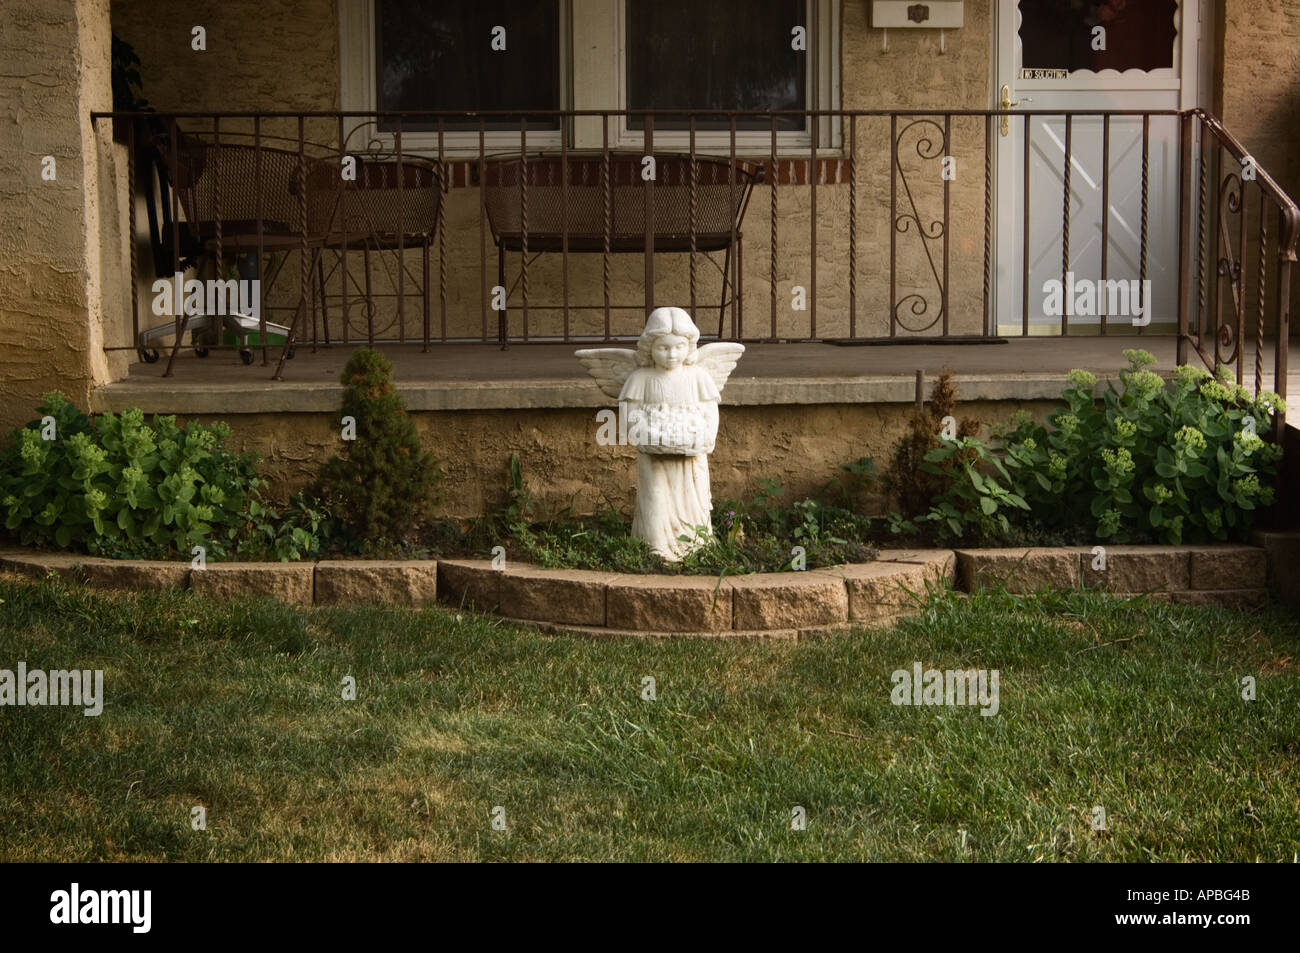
[669, 392]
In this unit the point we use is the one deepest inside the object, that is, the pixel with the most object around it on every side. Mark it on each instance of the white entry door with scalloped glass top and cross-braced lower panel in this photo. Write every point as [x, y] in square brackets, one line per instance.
[1072, 55]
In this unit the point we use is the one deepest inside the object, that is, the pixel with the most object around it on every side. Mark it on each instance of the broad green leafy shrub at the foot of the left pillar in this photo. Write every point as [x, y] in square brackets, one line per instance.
[116, 486]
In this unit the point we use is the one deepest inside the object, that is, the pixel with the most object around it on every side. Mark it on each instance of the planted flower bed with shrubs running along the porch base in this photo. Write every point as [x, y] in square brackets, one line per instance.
[1151, 462]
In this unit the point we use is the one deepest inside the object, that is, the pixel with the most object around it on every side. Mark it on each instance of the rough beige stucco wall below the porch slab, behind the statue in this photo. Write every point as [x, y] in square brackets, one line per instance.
[803, 445]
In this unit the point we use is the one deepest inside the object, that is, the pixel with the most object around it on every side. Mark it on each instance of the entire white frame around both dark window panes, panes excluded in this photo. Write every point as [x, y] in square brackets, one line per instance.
[595, 81]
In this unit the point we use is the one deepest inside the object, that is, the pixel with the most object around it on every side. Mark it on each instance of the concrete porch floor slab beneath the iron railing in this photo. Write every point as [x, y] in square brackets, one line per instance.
[473, 376]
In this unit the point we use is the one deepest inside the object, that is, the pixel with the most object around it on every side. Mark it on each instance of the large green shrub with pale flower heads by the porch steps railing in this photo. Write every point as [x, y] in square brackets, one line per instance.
[1178, 463]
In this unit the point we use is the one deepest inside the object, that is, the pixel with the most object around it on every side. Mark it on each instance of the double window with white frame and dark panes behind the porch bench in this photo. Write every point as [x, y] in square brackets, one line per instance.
[617, 55]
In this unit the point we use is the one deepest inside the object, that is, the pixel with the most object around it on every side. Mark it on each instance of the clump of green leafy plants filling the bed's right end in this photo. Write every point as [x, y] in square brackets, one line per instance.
[1146, 462]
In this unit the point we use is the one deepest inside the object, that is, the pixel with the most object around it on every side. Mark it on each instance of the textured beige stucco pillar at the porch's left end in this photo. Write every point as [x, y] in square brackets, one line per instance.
[59, 263]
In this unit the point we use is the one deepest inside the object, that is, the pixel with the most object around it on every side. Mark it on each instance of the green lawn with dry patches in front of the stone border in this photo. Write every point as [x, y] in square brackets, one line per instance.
[237, 707]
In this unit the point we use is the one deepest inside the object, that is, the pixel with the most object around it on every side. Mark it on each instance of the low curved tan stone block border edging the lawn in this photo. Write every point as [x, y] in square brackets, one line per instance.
[775, 605]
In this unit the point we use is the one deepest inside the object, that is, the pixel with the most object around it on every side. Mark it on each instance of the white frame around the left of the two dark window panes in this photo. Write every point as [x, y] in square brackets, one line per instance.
[358, 93]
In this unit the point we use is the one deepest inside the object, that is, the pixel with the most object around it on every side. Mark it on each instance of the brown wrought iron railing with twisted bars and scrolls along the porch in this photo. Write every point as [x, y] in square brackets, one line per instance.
[278, 189]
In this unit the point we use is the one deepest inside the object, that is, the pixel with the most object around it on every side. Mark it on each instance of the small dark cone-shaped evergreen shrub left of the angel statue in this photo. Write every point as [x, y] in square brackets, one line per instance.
[383, 490]
